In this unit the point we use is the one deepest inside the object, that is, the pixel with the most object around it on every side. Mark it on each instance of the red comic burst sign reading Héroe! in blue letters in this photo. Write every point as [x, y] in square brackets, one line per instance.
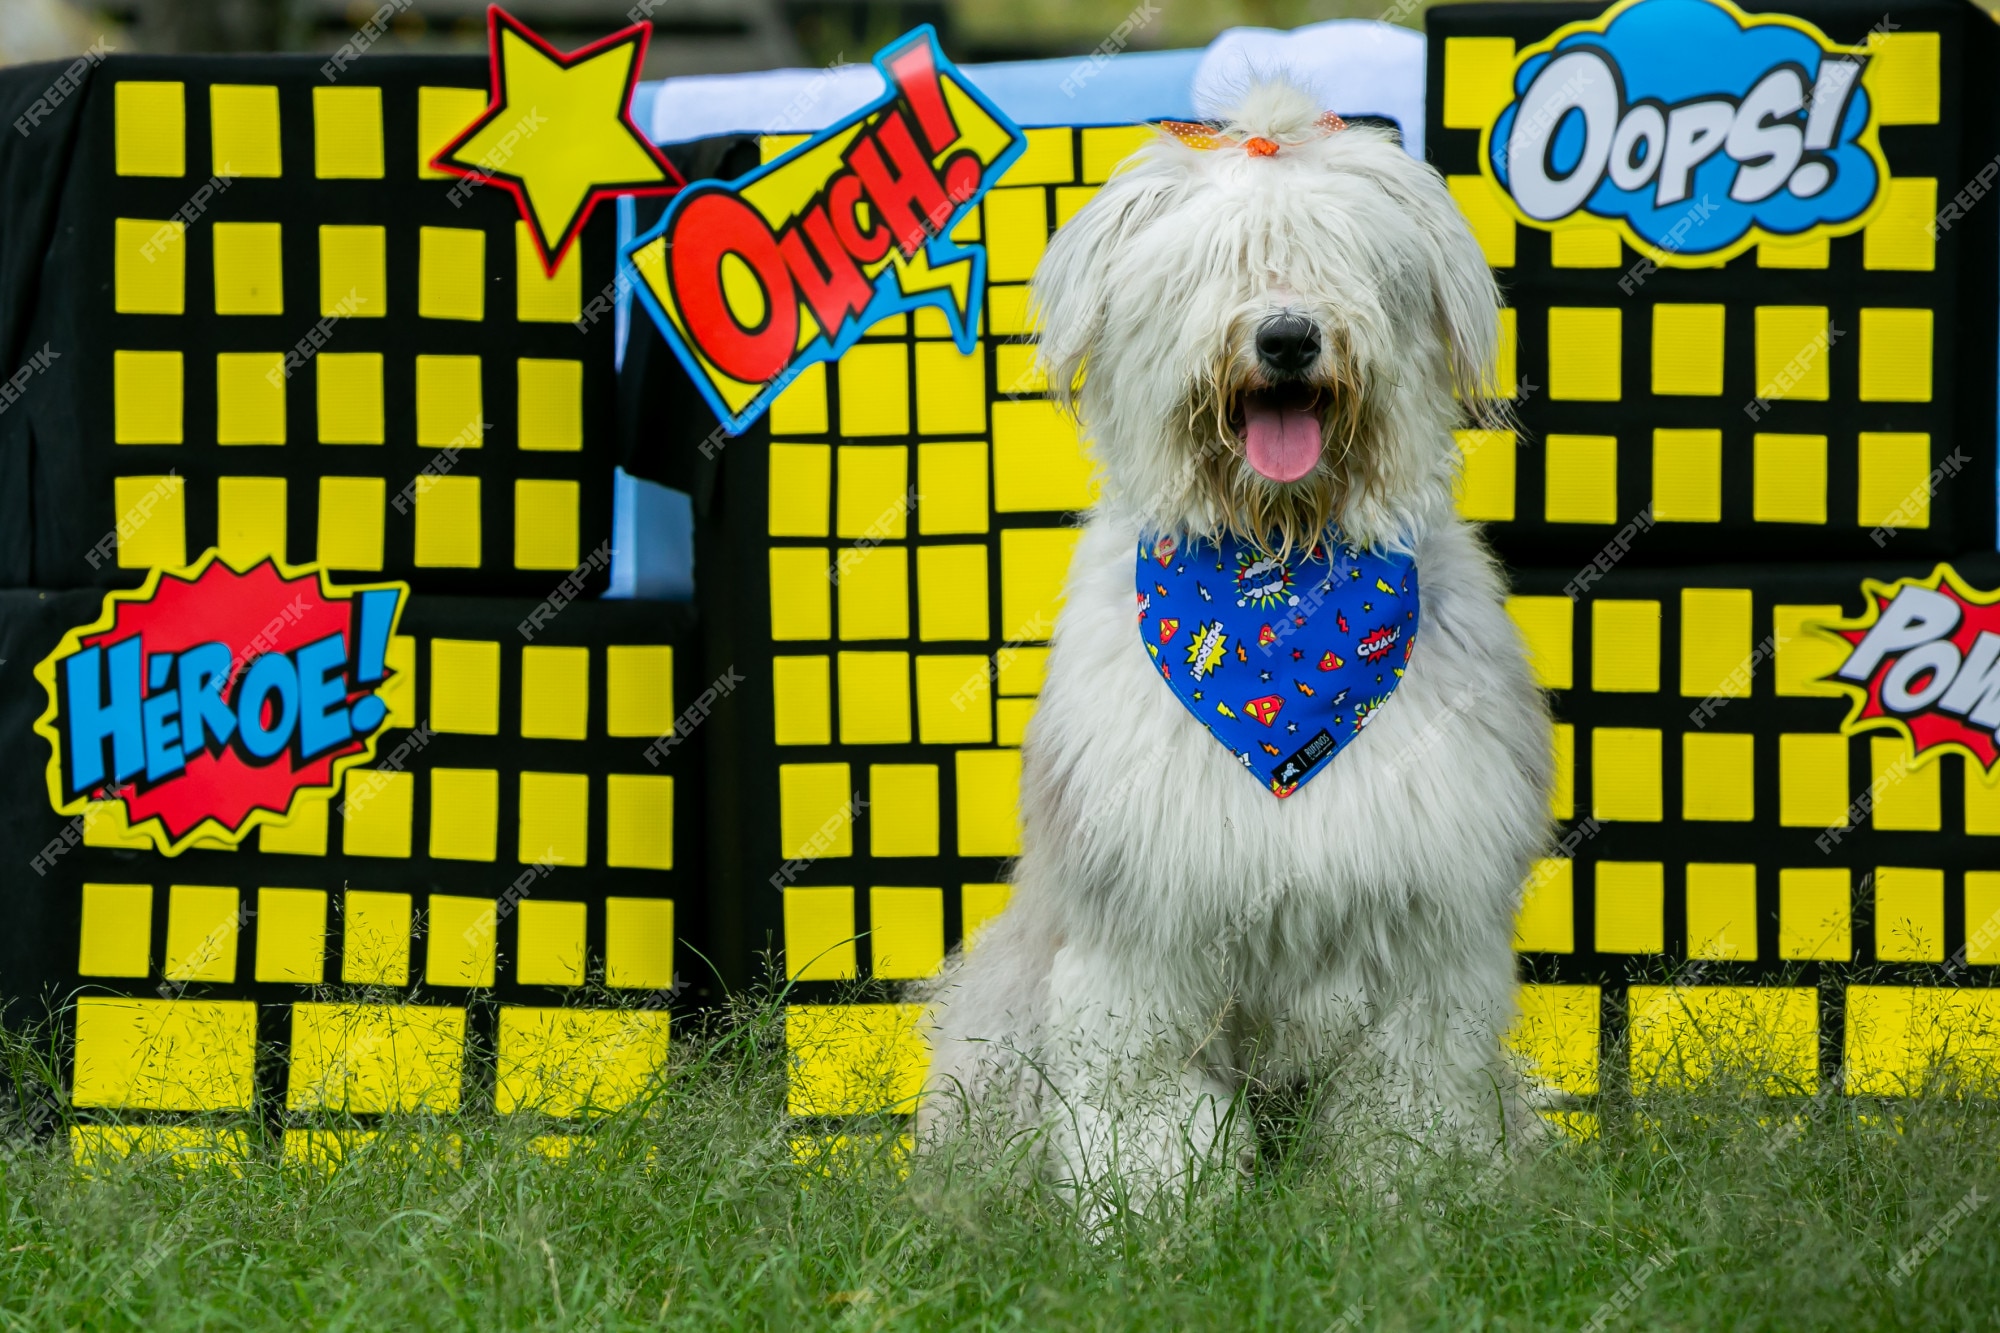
[207, 700]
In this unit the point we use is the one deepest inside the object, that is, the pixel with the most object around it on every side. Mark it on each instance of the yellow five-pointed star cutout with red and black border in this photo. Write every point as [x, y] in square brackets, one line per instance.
[559, 133]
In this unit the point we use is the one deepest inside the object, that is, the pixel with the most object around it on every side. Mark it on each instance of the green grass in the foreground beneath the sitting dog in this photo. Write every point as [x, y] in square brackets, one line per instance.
[697, 1216]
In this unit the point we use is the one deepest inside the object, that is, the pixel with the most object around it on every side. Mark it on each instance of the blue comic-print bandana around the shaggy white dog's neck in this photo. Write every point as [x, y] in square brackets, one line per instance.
[1283, 661]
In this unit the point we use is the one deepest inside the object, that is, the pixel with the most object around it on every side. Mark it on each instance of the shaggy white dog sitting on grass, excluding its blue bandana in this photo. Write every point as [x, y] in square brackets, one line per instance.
[1273, 333]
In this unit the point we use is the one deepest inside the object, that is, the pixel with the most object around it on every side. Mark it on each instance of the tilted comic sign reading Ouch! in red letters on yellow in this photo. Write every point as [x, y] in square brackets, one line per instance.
[757, 279]
